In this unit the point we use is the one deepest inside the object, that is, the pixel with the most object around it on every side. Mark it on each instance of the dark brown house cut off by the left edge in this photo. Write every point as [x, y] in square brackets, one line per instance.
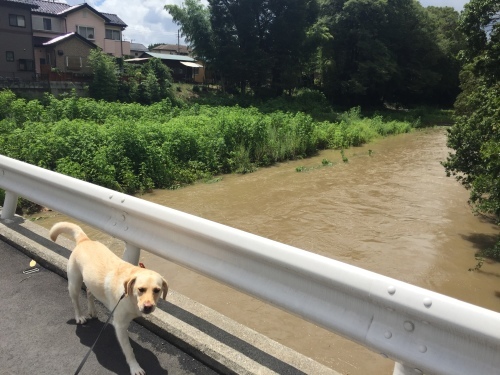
[16, 41]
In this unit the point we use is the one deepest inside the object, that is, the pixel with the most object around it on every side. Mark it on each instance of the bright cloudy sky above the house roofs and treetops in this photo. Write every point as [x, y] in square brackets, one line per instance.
[148, 22]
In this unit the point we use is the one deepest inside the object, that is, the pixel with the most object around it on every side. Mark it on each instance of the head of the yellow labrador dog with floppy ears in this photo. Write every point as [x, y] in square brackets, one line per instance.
[146, 286]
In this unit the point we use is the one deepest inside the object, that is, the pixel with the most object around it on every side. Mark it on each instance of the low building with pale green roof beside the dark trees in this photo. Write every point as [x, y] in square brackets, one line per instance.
[183, 68]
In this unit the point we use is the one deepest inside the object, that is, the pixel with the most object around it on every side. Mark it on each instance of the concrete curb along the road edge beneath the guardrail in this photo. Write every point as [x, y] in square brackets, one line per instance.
[215, 340]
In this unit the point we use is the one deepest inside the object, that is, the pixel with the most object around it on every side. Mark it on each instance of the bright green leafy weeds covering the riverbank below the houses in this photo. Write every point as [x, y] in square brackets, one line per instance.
[134, 148]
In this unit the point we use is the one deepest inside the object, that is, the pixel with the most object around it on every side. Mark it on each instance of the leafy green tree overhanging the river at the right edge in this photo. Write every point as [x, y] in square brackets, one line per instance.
[475, 137]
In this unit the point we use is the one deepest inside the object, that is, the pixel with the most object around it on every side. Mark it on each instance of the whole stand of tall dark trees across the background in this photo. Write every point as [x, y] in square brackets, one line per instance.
[357, 52]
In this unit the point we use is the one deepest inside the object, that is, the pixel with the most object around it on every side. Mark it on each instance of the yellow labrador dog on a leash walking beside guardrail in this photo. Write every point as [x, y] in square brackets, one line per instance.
[108, 278]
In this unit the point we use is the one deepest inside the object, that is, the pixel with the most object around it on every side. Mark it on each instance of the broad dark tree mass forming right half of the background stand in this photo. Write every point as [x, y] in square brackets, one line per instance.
[386, 50]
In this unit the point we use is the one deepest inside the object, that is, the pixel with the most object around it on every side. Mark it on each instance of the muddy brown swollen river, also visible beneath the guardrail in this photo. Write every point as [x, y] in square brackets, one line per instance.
[390, 209]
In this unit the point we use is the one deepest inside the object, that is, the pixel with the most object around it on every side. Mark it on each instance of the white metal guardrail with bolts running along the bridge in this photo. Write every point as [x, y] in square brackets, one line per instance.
[423, 331]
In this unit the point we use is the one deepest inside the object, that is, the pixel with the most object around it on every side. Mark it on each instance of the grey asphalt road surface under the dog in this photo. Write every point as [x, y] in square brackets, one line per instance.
[38, 333]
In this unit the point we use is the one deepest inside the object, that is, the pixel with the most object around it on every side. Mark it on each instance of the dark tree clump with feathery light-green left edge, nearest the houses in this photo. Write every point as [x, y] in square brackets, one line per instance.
[249, 42]
